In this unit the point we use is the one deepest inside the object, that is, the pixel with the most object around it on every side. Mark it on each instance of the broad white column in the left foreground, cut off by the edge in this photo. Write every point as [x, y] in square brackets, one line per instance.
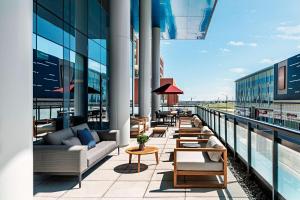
[16, 122]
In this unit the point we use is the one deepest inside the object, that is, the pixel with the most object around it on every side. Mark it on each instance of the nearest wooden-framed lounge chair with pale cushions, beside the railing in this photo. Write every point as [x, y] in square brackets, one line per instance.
[208, 160]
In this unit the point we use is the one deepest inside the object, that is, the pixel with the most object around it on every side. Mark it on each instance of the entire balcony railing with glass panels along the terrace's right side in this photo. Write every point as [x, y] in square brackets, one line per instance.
[270, 152]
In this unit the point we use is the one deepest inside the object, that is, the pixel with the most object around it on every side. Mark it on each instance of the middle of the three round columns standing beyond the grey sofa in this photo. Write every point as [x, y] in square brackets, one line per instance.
[145, 59]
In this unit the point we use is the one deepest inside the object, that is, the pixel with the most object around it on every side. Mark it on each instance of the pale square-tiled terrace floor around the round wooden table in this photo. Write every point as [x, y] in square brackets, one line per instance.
[115, 179]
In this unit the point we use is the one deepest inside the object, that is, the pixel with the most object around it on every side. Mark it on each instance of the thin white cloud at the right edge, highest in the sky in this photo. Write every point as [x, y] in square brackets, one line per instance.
[288, 32]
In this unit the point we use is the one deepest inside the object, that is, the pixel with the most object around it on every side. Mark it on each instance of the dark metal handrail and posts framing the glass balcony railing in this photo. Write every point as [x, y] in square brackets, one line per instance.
[276, 134]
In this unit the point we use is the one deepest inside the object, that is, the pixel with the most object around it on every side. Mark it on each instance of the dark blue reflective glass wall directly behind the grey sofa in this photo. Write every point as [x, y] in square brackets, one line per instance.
[70, 63]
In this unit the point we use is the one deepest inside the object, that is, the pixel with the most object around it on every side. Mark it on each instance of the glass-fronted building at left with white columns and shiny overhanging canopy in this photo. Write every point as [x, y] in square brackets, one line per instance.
[71, 59]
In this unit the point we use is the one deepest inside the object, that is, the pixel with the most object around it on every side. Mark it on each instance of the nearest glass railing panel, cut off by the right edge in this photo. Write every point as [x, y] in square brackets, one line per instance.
[288, 172]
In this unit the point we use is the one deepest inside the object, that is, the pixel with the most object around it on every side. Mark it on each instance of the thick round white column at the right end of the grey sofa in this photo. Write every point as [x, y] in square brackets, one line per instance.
[119, 74]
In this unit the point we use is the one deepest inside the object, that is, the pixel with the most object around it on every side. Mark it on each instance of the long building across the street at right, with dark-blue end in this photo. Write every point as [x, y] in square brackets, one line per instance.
[272, 94]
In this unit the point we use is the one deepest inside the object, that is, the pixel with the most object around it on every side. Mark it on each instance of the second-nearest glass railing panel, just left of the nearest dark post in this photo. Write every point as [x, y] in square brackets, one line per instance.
[261, 156]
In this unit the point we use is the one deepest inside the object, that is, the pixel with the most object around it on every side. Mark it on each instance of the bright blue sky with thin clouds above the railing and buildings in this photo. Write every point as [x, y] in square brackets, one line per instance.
[244, 36]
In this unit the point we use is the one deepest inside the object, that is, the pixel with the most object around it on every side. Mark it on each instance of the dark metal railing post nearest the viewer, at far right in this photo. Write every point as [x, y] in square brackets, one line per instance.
[275, 166]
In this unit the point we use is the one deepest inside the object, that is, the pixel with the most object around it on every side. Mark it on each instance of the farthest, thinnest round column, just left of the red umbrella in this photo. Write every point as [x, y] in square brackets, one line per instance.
[155, 68]
